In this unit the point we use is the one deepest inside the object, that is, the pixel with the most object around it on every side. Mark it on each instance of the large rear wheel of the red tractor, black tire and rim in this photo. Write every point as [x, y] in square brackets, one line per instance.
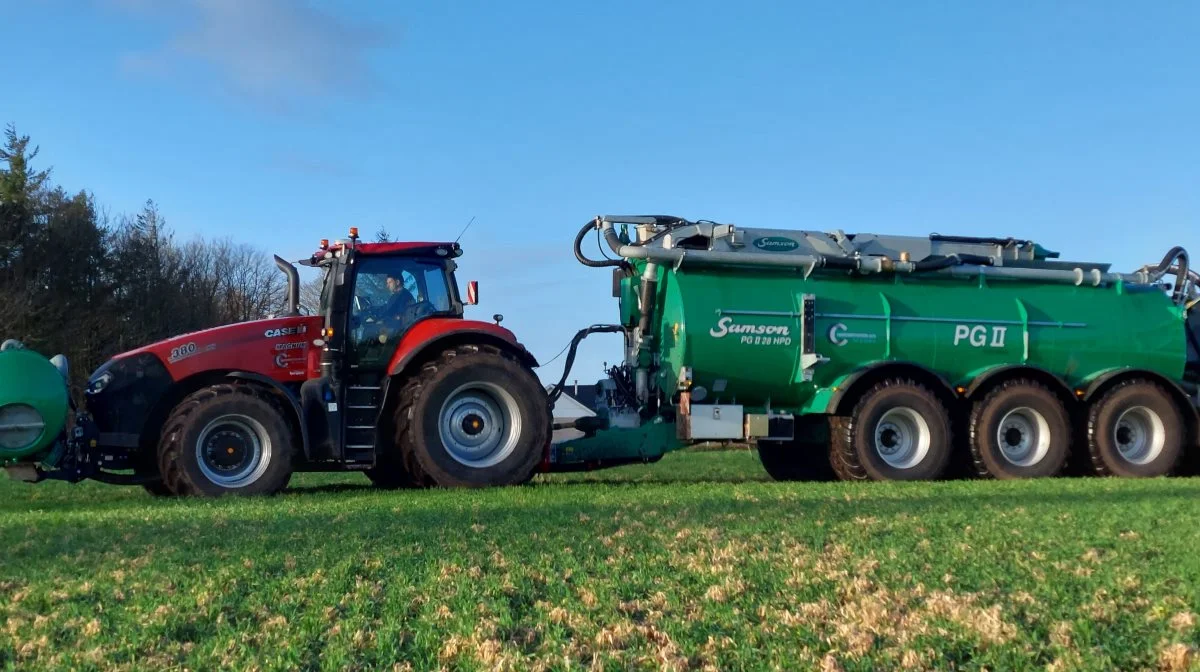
[473, 418]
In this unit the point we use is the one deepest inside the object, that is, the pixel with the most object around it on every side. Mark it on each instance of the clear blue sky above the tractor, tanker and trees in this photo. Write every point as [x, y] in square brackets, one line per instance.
[280, 123]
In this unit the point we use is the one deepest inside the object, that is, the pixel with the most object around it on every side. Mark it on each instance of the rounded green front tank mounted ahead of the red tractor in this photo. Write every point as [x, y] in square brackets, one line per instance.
[34, 404]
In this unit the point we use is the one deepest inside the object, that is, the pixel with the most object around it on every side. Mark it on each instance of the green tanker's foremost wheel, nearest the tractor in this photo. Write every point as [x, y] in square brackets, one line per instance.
[907, 406]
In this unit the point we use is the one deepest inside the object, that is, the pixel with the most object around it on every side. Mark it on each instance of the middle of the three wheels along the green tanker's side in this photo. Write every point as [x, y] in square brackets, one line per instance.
[1021, 430]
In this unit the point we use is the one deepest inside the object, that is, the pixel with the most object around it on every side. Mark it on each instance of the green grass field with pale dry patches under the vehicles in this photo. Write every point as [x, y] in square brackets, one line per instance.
[699, 562]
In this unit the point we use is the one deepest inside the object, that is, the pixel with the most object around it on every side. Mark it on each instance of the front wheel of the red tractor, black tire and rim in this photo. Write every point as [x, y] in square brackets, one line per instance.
[241, 415]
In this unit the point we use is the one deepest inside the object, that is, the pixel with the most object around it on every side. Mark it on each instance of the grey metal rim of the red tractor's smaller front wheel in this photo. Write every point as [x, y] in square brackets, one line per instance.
[233, 451]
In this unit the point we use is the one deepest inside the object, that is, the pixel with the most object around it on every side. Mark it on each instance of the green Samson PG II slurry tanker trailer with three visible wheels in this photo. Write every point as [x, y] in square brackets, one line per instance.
[879, 357]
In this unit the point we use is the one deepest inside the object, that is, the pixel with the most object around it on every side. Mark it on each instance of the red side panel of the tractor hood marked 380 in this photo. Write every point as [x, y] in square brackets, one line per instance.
[277, 349]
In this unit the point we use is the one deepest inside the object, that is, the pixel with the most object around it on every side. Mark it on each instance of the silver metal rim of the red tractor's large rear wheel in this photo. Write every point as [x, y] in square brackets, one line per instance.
[479, 425]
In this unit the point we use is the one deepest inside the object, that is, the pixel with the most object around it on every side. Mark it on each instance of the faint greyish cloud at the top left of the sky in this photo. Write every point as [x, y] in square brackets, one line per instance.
[273, 52]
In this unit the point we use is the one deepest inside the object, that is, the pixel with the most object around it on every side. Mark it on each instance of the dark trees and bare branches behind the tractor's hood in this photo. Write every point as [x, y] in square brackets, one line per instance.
[87, 285]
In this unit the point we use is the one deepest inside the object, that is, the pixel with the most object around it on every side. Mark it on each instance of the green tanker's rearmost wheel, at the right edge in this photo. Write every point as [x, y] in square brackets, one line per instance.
[1135, 430]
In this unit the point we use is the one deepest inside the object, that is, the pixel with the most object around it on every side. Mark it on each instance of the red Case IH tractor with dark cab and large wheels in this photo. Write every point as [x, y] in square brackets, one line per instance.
[388, 379]
